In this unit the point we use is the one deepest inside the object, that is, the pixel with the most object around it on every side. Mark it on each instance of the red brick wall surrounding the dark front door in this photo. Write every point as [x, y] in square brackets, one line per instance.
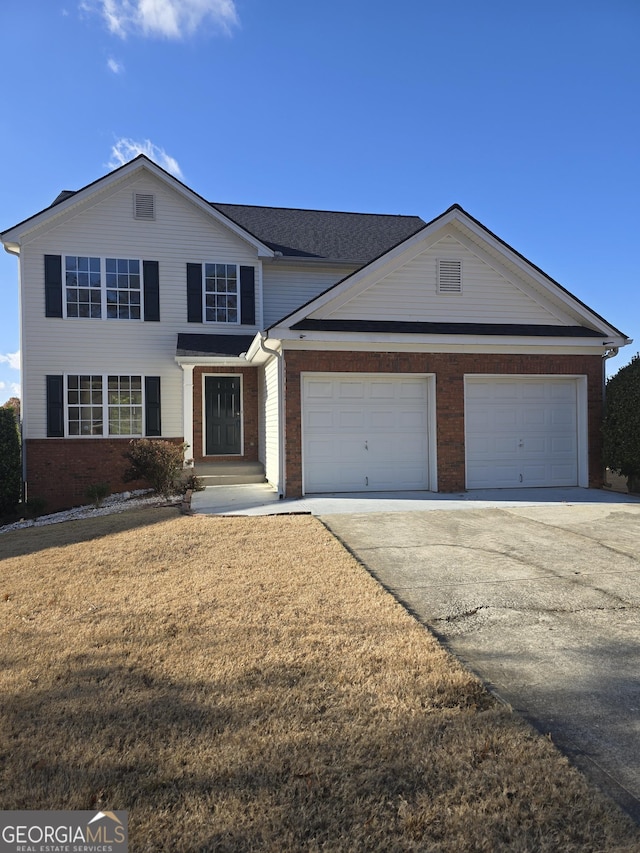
[249, 409]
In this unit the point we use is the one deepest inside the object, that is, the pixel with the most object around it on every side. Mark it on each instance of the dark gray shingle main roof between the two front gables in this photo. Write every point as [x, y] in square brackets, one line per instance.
[326, 234]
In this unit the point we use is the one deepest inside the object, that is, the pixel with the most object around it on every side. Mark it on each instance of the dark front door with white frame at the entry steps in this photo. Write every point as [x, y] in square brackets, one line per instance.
[222, 415]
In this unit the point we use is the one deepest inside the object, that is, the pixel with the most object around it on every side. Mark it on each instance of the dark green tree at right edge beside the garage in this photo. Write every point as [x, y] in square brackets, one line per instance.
[621, 428]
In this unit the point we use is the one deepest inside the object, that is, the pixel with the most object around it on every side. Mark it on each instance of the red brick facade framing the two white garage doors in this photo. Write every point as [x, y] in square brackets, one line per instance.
[449, 370]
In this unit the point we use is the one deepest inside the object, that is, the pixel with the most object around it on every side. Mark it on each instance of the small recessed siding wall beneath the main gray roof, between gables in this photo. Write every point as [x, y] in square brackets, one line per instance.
[286, 288]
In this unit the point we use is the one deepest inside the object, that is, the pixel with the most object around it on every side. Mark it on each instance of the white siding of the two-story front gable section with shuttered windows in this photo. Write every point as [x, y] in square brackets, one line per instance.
[179, 234]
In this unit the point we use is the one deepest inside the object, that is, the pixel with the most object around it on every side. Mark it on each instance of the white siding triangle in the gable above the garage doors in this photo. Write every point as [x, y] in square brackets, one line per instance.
[410, 293]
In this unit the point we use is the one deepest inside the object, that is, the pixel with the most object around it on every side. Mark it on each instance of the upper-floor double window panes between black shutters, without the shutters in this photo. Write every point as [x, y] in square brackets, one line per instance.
[103, 287]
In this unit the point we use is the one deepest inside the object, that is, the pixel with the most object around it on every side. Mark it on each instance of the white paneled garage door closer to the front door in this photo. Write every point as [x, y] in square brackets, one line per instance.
[364, 433]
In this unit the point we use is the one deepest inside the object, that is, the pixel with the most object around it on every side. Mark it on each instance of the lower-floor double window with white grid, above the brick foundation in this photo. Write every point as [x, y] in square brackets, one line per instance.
[91, 411]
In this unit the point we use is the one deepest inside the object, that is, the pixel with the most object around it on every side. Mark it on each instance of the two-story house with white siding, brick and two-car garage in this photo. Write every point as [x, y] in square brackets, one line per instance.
[342, 351]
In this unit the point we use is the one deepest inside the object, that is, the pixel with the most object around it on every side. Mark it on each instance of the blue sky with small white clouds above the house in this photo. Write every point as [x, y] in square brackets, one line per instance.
[527, 114]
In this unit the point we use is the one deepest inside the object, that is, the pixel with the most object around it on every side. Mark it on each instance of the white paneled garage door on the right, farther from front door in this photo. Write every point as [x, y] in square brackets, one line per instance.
[521, 432]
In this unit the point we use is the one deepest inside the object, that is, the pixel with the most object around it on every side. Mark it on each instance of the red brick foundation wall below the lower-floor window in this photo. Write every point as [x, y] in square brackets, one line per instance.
[60, 470]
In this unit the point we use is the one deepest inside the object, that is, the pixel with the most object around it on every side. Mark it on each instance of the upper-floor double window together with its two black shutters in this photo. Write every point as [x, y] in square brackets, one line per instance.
[101, 288]
